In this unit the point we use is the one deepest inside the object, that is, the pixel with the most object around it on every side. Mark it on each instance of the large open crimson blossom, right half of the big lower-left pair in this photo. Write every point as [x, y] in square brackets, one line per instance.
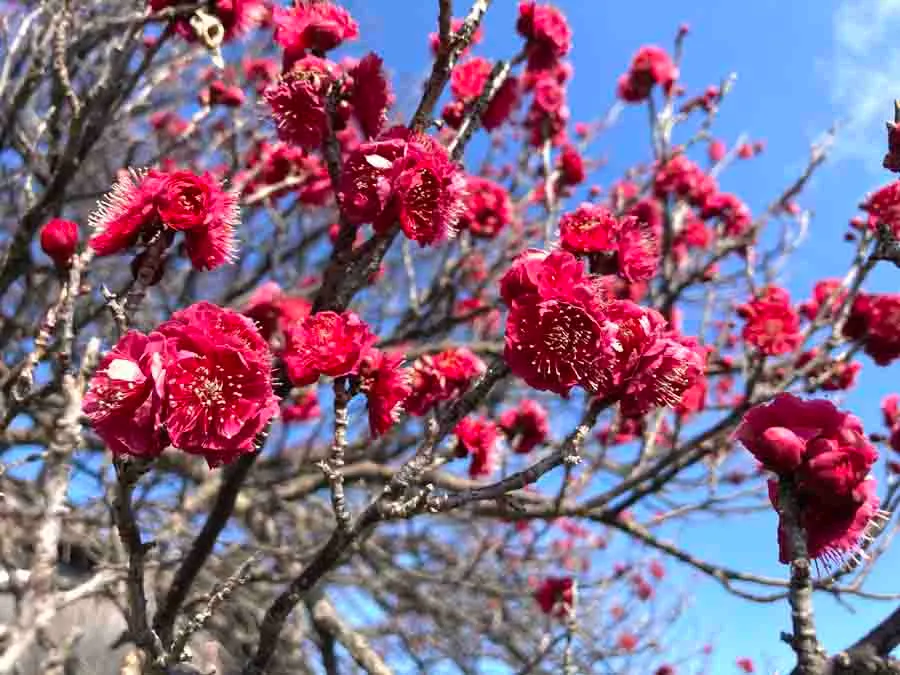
[219, 394]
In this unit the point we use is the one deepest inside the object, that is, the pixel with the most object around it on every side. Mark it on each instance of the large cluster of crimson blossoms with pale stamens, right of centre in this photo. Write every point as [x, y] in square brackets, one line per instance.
[563, 331]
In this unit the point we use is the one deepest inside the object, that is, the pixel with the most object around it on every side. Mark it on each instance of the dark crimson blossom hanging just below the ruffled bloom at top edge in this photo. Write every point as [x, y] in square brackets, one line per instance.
[298, 101]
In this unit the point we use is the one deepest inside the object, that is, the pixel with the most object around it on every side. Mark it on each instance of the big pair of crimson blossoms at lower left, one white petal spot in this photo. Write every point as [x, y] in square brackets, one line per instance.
[201, 382]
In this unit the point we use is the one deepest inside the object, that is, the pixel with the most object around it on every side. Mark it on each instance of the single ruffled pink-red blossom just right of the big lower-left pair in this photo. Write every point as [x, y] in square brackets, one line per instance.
[326, 343]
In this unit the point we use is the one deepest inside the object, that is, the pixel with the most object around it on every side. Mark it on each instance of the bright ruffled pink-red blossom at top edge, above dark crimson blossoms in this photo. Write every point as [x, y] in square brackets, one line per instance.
[312, 25]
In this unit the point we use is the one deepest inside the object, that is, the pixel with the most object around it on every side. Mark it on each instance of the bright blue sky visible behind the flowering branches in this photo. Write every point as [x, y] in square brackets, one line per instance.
[801, 66]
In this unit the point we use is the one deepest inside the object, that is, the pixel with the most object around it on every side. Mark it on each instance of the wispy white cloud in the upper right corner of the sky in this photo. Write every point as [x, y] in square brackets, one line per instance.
[864, 75]
